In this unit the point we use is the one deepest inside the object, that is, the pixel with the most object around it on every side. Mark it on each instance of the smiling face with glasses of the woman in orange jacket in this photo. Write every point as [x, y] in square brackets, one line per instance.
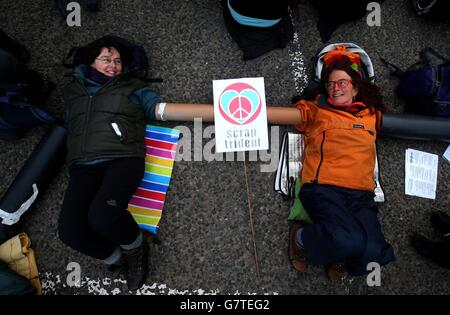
[340, 88]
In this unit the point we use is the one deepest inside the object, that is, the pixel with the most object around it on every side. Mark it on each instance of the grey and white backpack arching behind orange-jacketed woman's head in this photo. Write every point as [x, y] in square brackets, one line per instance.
[313, 88]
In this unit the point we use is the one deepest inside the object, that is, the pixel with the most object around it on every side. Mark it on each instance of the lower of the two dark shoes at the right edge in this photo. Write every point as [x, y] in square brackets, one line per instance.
[438, 252]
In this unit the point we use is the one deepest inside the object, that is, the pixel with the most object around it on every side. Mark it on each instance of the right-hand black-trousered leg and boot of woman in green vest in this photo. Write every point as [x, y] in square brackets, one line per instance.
[109, 217]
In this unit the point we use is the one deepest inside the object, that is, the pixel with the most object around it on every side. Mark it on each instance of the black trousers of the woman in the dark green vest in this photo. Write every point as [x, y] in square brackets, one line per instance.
[94, 218]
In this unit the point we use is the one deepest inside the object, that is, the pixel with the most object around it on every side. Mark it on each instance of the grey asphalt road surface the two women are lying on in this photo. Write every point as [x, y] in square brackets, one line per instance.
[206, 238]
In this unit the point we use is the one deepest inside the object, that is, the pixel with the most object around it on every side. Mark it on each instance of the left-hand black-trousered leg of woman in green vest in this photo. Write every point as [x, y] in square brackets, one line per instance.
[73, 227]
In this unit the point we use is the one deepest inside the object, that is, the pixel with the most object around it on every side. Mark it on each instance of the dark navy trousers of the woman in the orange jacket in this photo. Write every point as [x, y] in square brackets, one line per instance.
[346, 228]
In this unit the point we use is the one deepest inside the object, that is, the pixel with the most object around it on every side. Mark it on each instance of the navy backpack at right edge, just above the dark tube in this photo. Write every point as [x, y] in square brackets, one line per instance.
[423, 86]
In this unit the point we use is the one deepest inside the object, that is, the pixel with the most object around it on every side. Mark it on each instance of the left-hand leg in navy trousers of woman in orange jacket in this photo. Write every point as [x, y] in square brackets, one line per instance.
[335, 235]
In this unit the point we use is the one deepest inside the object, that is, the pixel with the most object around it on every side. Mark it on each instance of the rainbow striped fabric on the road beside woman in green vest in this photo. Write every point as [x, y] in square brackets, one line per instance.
[146, 205]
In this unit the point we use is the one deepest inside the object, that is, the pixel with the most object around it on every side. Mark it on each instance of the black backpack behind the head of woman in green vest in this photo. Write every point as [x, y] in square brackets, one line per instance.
[134, 56]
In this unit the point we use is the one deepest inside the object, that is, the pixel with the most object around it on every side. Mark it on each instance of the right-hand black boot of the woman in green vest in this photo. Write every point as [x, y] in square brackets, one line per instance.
[136, 265]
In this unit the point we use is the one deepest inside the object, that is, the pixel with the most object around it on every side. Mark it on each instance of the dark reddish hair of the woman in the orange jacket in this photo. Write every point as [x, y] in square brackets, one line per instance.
[368, 92]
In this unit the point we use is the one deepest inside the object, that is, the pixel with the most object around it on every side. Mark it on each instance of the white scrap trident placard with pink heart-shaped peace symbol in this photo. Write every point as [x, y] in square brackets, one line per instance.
[240, 115]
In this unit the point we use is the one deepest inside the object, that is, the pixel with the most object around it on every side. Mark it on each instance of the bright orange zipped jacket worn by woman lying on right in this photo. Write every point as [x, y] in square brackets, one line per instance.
[339, 146]
